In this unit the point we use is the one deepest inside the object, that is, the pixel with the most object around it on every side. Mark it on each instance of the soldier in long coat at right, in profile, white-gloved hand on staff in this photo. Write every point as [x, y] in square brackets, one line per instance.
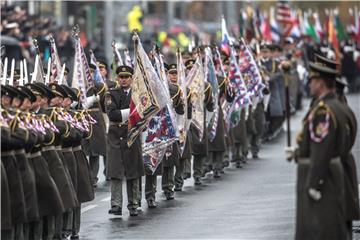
[322, 144]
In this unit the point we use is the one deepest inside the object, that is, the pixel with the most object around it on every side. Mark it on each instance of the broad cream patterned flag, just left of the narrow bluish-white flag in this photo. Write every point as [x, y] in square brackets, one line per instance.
[195, 82]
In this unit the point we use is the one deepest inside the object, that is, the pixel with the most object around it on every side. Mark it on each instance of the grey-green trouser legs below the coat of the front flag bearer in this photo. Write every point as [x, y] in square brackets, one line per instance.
[132, 188]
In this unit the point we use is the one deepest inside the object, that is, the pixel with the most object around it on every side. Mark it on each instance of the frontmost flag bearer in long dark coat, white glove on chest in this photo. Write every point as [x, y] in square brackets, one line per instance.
[123, 161]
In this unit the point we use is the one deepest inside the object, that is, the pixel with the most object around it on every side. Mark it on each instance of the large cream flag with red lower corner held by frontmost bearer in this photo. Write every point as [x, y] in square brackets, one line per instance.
[144, 102]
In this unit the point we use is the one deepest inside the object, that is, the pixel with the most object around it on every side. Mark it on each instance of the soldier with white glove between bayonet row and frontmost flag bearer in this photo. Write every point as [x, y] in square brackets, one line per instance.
[95, 145]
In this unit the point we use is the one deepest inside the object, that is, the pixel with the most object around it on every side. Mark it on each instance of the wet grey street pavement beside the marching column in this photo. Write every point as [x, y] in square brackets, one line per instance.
[255, 202]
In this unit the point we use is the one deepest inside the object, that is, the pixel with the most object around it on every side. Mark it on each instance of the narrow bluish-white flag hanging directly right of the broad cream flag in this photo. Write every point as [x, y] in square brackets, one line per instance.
[211, 78]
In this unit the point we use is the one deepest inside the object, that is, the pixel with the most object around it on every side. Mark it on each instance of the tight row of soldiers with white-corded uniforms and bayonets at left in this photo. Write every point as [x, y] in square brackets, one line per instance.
[45, 175]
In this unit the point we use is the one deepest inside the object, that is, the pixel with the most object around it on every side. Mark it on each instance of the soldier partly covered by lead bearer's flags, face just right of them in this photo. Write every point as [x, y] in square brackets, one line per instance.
[172, 155]
